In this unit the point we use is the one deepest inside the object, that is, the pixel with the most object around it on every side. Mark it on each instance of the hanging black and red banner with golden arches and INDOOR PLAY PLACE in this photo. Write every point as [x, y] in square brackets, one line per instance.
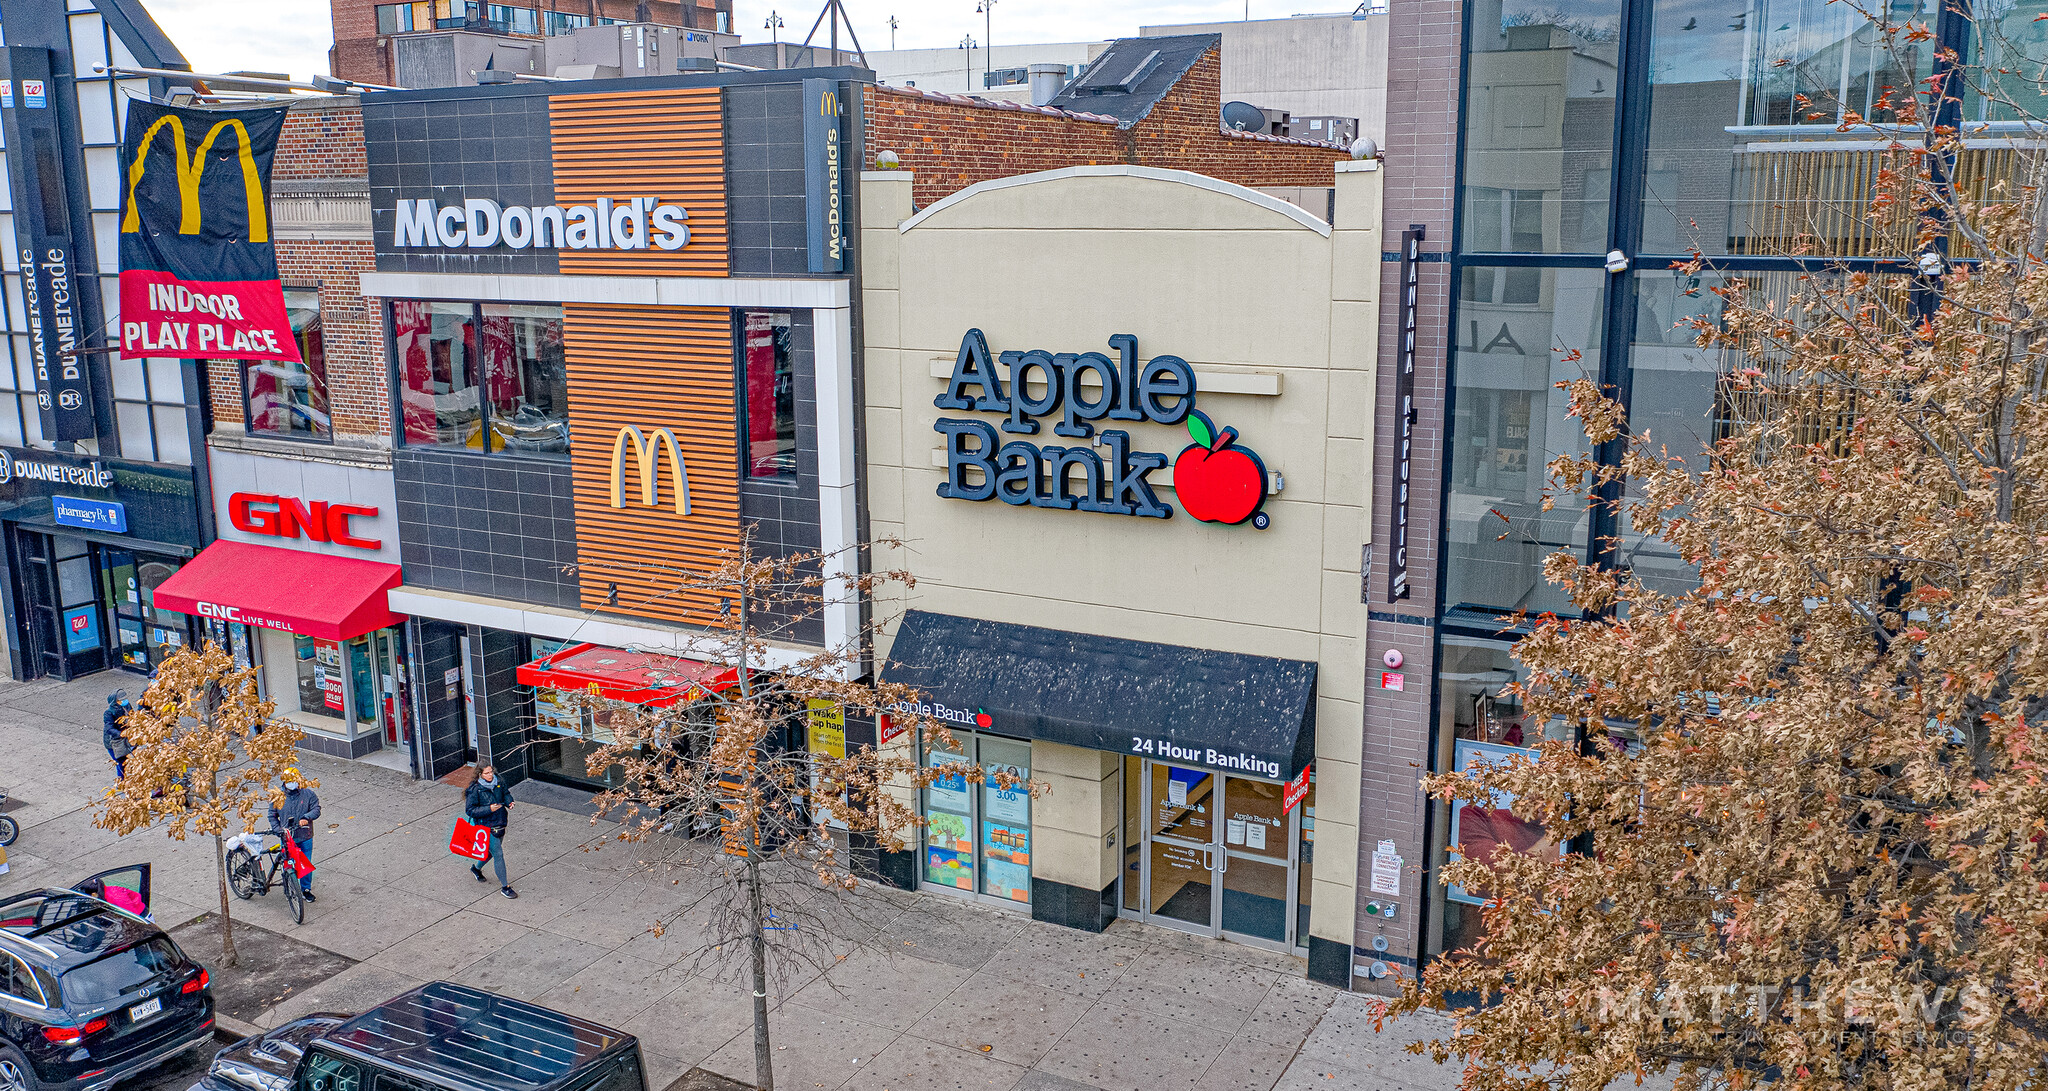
[198, 263]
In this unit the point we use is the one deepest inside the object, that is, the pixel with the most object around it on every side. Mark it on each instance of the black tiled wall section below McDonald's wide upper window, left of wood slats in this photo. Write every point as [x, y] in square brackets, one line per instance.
[486, 525]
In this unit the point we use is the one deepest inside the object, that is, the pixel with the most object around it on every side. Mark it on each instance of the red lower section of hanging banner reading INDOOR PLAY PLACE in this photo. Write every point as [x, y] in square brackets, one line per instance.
[216, 320]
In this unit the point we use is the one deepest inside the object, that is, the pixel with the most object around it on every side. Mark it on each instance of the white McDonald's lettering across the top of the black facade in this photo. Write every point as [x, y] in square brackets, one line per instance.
[480, 224]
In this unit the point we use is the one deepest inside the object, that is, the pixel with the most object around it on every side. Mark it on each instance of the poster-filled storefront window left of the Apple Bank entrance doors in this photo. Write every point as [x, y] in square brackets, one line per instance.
[978, 838]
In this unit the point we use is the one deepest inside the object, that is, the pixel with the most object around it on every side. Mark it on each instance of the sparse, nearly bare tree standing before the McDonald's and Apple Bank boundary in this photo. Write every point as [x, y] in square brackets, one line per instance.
[736, 781]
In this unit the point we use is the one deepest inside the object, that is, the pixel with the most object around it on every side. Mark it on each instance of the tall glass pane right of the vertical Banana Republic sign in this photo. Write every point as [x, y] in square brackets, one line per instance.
[1521, 333]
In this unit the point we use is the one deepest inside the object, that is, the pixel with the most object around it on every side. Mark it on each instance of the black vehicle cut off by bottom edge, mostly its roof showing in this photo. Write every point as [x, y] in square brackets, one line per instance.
[437, 1039]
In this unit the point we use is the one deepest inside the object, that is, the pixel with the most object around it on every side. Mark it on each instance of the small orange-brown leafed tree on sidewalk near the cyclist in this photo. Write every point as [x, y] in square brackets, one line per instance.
[208, 760]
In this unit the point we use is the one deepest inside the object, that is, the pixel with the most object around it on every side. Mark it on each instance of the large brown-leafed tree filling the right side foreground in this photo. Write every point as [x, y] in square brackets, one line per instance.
[1824, 863]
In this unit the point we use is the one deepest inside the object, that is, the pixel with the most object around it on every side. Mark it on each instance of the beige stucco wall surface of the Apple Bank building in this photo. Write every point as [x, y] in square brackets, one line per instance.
[1277, 312]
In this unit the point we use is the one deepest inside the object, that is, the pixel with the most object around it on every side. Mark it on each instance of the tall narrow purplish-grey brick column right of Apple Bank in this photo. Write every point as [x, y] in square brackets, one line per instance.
[1422, 124]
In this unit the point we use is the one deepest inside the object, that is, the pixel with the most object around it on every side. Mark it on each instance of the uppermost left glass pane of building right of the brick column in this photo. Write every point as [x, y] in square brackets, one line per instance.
[1541, 126]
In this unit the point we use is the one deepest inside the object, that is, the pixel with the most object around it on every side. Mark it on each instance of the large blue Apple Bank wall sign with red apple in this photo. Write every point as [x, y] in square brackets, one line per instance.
[1215, 478]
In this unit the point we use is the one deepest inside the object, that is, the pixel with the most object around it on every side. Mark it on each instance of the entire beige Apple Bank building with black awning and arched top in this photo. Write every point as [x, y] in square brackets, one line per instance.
[1136, 503]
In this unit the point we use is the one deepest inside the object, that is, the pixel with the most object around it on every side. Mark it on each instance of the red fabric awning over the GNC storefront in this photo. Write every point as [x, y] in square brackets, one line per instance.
[312, 595]
